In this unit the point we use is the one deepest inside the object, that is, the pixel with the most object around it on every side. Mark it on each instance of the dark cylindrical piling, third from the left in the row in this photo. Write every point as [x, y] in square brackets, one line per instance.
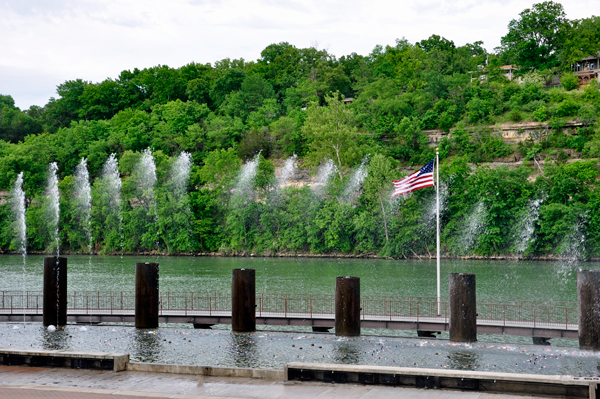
[243, 300]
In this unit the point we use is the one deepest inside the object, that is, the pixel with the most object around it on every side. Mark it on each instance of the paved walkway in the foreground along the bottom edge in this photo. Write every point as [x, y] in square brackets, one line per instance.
[32, 382]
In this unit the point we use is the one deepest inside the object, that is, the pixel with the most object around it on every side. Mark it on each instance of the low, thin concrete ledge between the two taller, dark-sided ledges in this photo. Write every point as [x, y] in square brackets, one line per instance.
[264, 374]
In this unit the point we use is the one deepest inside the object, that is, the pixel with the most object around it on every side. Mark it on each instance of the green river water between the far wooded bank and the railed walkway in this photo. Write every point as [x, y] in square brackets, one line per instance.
[536, 280]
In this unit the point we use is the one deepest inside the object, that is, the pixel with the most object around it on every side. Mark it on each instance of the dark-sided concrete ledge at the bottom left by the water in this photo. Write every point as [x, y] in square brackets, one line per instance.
[53, 358]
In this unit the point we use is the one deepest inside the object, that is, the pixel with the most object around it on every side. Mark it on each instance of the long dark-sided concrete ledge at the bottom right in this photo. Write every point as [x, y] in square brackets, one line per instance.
[527, 384]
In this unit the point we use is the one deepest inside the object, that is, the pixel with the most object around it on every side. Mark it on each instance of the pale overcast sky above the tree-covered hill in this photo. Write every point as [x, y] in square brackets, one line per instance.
[45, 42]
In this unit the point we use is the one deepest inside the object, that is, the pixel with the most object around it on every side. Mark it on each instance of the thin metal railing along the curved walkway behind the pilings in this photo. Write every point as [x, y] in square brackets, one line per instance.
[373, 307]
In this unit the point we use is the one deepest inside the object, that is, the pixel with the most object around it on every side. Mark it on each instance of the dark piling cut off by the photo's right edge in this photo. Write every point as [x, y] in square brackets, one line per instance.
[588, 302]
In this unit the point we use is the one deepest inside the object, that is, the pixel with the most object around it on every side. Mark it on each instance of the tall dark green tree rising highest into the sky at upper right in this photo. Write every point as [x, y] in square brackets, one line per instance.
[534, 40]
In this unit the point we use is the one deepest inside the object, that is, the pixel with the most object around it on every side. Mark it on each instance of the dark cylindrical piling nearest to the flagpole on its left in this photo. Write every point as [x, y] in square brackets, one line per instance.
[347, 306]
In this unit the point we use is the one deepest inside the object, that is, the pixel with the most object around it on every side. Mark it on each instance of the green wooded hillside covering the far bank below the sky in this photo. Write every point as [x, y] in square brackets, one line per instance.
[294, 153]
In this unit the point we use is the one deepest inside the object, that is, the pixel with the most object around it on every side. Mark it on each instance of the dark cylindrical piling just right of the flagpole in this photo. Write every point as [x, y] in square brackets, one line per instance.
[463, 307]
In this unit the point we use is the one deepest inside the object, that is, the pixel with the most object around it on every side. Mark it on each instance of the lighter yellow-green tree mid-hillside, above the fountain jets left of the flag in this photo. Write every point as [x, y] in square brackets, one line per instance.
[331, 133]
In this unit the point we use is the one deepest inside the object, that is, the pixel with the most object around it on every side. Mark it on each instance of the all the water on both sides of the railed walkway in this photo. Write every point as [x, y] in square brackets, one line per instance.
[272, 349]
